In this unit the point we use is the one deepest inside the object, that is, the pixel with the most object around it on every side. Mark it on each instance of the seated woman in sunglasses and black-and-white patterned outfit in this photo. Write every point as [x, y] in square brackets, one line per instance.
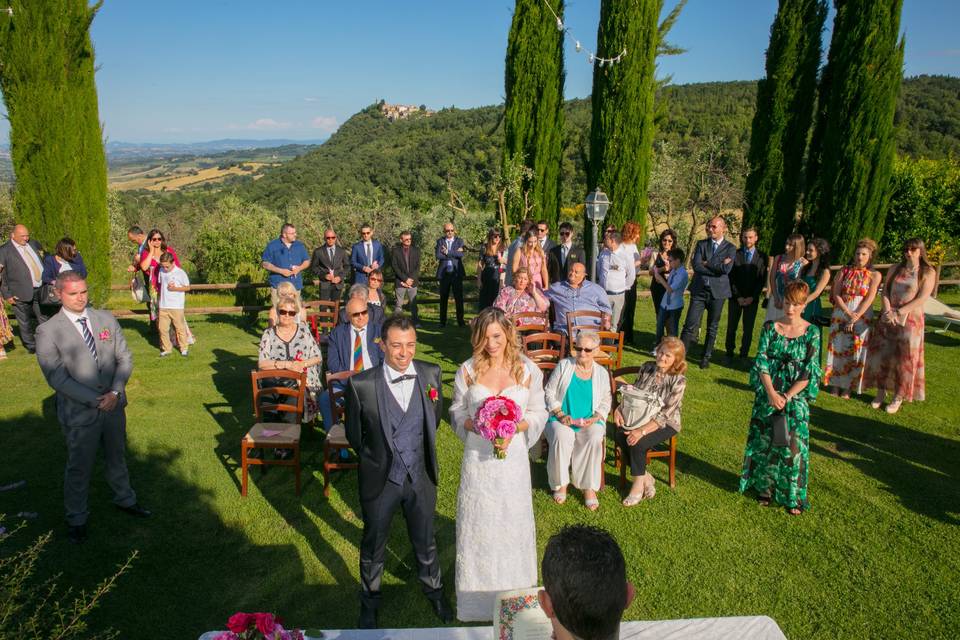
[290, 345]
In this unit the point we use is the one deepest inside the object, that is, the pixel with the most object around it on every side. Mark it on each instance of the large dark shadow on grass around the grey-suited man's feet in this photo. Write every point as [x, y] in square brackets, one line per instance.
[195, 559]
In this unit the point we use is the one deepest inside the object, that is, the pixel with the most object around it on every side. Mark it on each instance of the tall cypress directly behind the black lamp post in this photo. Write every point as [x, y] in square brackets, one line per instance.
[621, 131]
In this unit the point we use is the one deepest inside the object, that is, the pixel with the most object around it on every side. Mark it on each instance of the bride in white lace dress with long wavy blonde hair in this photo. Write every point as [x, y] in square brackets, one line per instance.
[496, 538]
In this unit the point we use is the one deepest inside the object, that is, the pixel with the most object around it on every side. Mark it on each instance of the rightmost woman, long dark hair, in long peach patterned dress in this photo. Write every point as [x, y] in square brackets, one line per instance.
[896, 344]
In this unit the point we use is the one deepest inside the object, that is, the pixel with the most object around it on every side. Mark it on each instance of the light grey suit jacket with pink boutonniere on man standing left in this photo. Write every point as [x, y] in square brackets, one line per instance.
[71, 370]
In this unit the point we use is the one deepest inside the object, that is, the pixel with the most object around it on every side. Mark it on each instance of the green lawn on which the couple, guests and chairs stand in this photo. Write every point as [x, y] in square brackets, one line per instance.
[877, 556]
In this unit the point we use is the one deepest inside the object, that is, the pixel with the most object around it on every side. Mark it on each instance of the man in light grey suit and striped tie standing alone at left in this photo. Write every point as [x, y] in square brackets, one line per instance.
[85, 359]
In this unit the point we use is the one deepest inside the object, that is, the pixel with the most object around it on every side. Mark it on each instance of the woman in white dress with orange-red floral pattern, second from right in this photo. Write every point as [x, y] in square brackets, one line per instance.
[853, 294]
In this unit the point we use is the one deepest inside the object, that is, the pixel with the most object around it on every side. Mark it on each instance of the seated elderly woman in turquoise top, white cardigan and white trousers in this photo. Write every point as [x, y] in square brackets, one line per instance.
[578, 398]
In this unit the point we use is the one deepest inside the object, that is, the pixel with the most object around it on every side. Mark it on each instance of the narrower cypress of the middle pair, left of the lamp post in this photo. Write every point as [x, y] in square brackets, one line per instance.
[533, 118]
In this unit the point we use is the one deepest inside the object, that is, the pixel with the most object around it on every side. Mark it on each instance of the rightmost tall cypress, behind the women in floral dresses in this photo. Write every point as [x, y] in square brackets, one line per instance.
[853, 146]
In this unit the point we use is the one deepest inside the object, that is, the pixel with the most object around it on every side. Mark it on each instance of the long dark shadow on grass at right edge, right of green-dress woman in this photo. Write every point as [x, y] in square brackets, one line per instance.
[919, 468]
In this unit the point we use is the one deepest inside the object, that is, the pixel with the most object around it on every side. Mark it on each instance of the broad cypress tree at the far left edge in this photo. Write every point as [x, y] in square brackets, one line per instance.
[56, 142]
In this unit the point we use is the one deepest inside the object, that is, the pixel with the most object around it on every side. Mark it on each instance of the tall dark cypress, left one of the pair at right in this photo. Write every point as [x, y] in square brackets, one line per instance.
[781, 124]
